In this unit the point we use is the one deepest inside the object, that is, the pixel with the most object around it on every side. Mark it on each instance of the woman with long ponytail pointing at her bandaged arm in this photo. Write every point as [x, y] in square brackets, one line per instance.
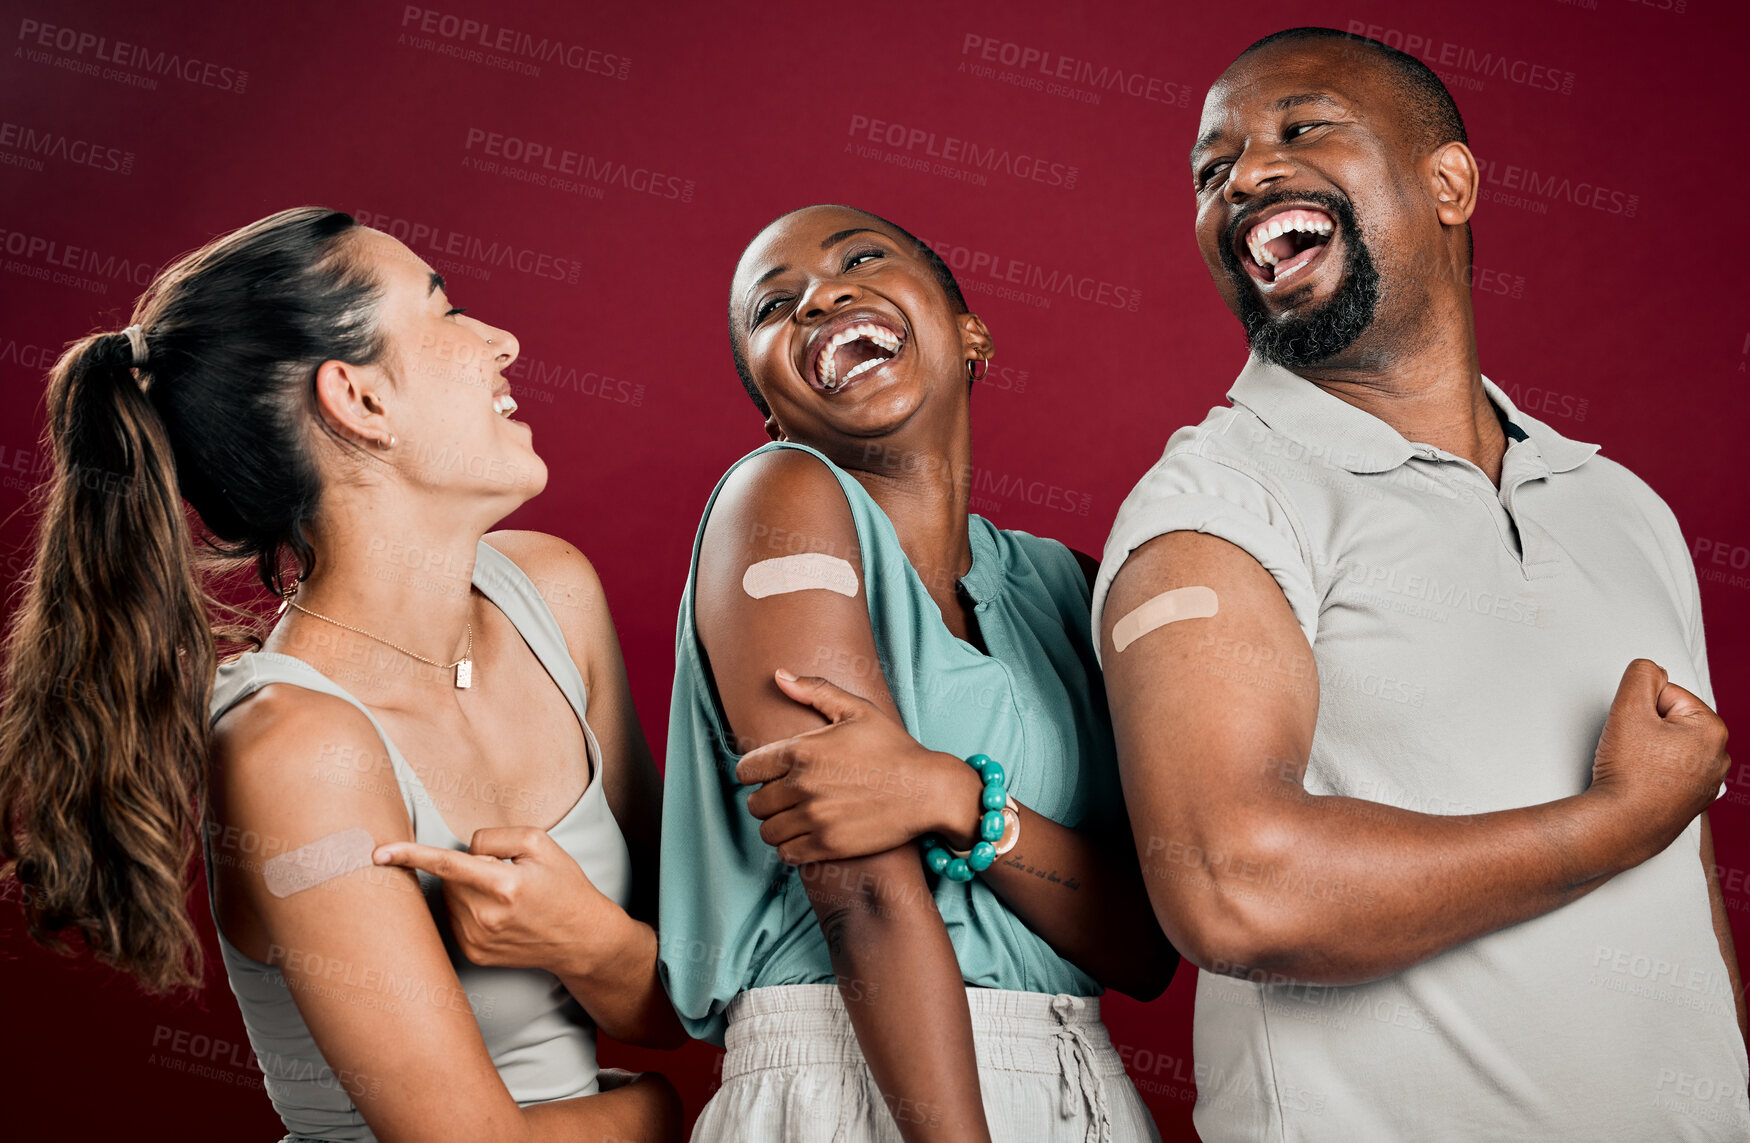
[307, 388]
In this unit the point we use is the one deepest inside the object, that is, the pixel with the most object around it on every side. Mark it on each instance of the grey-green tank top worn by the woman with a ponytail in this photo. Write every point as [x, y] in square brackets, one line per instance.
[540, 1039]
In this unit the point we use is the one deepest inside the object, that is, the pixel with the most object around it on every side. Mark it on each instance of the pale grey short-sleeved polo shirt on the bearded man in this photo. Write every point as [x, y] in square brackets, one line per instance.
[1469, 643]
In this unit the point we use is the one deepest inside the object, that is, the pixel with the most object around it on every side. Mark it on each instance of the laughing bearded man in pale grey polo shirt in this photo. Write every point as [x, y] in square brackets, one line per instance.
[1441, 883]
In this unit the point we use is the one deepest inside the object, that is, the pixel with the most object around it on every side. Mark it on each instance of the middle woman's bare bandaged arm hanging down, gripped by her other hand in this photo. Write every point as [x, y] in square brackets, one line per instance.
[888, 944]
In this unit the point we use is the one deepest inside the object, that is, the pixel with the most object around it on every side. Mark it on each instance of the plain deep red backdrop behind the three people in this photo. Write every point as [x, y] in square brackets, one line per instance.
[1609, 302]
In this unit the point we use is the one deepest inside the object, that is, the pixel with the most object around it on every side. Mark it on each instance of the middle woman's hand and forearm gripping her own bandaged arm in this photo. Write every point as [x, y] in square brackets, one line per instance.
[864, 785]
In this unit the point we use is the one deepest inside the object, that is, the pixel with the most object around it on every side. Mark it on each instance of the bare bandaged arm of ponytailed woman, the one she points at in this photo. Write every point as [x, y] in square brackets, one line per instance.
[360, 953]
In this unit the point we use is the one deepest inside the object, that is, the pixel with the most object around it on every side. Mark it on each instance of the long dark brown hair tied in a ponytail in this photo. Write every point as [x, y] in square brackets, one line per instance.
[109, 661]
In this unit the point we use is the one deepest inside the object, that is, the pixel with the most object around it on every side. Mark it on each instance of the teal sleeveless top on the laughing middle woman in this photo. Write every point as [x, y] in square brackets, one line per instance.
[736, 918]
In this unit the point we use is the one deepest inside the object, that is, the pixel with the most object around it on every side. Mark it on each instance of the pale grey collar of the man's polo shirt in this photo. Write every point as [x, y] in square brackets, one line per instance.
[1361, 442]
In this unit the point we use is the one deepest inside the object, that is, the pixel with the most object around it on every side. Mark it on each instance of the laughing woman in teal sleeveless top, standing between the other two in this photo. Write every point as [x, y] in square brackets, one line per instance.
[794, 808]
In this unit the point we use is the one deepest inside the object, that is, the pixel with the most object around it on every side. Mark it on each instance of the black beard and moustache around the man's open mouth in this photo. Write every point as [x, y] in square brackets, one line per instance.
[1310, 337]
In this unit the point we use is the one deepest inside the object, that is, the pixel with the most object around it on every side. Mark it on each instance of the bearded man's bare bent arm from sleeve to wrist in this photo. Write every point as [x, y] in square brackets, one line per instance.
[1214, 759]
